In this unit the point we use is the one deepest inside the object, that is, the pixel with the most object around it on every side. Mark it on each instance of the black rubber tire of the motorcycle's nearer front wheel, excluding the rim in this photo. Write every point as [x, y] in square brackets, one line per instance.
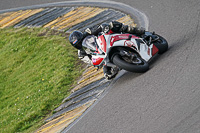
[139, 68]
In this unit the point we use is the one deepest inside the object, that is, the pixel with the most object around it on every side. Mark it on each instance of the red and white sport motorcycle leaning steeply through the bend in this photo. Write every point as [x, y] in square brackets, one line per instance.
[124, 51]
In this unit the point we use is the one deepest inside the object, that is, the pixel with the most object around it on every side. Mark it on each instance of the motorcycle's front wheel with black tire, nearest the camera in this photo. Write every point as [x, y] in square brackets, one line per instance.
[136, 64]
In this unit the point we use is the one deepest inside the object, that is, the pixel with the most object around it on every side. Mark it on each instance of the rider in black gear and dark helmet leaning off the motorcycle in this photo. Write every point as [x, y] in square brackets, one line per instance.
[76, 38]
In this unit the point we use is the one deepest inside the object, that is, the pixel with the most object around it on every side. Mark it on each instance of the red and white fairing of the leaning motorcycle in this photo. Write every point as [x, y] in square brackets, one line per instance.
[104, 42]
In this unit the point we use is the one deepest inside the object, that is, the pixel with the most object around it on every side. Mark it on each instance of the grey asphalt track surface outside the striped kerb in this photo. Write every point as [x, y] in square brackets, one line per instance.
[166, 99]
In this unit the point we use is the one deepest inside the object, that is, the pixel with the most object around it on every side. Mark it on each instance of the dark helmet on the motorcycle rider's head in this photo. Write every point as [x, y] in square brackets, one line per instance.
[75, 39]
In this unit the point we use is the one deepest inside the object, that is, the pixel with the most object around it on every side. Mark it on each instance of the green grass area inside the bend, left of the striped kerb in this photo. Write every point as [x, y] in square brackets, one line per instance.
[38, 67]
